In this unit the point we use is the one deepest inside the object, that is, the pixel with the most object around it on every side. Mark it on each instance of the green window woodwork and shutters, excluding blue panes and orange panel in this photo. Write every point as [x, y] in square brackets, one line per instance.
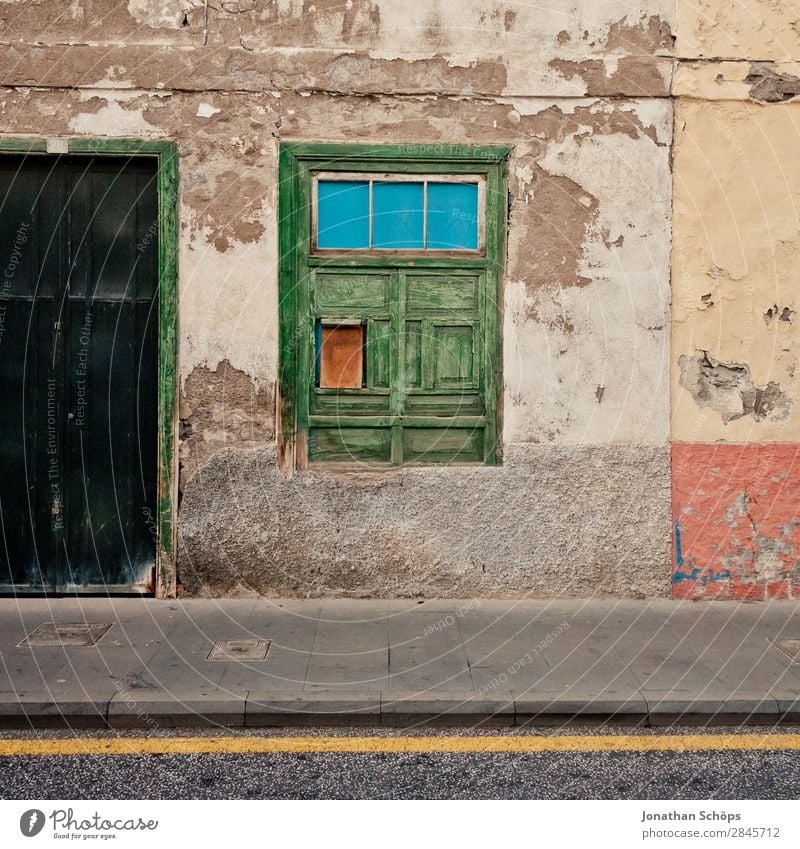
[431, 392]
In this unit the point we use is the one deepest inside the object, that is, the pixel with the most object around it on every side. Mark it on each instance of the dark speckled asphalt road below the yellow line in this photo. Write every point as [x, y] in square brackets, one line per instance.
[543, 775]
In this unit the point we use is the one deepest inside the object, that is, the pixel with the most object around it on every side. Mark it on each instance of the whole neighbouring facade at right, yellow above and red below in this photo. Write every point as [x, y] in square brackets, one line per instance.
[736, 231]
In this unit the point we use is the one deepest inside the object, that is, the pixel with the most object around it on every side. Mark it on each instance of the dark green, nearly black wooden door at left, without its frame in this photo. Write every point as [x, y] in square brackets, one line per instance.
[78, 373]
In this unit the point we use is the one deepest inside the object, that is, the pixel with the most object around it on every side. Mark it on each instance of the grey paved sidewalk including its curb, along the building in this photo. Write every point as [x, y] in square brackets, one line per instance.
[399, 662]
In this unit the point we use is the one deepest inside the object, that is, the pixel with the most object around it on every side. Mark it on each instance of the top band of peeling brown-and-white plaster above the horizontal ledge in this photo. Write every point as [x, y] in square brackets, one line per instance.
[473, 47]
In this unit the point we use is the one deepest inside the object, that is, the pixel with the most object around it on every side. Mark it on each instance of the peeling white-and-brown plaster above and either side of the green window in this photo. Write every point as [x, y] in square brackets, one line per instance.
[587, 279]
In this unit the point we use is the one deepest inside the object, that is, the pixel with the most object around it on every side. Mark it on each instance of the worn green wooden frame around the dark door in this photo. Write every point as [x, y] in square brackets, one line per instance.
[166, 154]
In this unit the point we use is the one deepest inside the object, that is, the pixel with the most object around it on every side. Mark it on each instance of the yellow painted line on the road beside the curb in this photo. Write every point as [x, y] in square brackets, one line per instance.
[366, 745]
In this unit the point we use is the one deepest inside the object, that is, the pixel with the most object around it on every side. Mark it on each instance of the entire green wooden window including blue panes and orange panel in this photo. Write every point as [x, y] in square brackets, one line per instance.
[390, 280]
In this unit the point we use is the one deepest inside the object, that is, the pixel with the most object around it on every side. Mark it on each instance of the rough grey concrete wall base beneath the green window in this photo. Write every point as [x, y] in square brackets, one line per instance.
[551, 521]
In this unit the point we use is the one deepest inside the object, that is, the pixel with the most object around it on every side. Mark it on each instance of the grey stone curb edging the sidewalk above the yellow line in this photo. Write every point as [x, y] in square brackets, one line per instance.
[151, 710]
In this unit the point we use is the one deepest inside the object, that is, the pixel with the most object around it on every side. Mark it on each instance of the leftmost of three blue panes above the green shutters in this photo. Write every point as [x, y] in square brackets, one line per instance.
[342, 214]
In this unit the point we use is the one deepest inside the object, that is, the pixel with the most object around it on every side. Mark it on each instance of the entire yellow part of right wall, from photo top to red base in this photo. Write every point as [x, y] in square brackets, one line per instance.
[736, 218]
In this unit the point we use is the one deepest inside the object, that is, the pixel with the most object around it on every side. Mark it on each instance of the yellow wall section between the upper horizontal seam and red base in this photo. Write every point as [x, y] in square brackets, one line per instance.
[736, 269]
